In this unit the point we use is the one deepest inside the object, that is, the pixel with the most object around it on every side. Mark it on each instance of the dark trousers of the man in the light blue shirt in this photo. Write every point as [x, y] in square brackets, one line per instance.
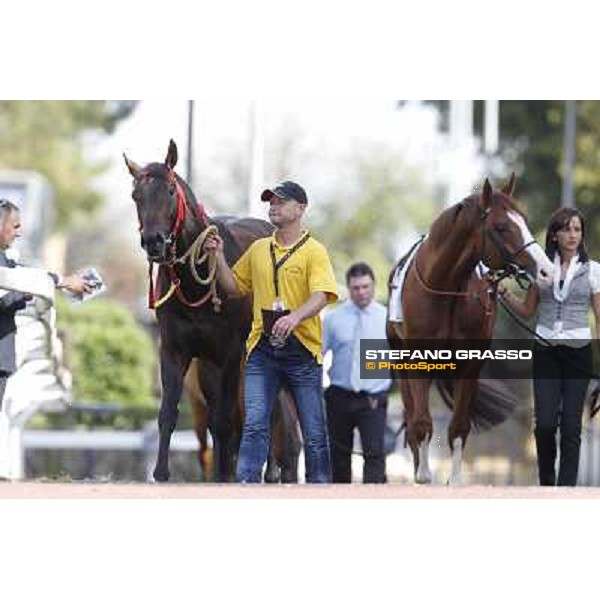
[345, 411]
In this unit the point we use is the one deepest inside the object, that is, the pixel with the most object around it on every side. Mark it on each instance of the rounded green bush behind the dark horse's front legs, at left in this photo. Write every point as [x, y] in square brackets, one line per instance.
[111, 357]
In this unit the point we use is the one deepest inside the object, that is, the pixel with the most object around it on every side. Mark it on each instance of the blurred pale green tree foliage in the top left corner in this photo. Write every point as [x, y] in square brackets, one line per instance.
[48, 136]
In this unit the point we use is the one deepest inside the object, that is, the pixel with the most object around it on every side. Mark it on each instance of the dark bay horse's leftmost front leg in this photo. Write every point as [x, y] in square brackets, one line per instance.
[172, 370]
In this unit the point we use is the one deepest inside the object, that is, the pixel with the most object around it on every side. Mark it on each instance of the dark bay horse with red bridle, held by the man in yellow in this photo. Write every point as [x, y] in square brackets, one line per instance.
[193, 320]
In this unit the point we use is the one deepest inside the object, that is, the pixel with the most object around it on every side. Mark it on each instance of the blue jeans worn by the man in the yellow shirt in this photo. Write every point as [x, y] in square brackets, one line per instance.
[266, 370]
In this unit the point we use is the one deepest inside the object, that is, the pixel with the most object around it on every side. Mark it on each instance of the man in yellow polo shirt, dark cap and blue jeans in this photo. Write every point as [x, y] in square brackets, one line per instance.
[291, 279]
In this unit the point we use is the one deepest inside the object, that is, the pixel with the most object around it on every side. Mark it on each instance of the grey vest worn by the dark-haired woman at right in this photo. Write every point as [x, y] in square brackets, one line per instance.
[573, 310]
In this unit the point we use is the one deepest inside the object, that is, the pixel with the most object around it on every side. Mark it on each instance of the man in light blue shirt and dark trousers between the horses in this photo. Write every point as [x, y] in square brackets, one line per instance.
[351, 401]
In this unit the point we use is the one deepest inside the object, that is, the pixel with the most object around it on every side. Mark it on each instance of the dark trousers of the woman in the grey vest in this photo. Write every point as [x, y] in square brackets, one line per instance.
[558, 406]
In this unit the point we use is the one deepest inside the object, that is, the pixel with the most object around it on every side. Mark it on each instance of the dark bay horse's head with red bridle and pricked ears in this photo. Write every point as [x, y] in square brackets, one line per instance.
[161, 205]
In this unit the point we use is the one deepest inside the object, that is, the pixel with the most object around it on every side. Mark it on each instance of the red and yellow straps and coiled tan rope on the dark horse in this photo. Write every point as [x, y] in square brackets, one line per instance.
[193, 255]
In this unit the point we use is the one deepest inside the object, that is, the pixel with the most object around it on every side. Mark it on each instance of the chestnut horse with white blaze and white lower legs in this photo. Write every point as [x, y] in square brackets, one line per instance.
[444, 299]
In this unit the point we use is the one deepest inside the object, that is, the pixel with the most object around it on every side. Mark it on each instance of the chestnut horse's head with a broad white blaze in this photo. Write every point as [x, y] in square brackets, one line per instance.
[506, 241]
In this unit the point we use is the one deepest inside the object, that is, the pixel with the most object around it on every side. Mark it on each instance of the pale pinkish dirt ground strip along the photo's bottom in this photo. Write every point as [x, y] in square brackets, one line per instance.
[136, 491]
